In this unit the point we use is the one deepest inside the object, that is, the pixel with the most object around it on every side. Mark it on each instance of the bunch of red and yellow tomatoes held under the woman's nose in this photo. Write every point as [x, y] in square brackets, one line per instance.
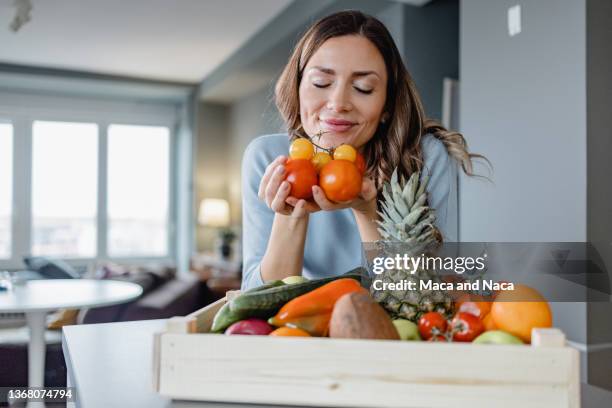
[339, 172]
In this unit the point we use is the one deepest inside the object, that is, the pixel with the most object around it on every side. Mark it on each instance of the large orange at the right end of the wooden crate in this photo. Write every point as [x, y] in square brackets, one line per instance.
[520, 310]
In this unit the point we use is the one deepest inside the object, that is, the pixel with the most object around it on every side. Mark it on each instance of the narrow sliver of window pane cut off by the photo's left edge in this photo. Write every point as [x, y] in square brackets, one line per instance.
[6, 188]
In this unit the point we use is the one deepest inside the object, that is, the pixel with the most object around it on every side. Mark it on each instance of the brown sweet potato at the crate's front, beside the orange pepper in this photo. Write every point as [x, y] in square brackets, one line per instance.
[358, 316]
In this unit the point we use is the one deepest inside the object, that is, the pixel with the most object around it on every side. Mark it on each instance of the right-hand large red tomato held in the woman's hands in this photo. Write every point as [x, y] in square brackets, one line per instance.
[340, 180]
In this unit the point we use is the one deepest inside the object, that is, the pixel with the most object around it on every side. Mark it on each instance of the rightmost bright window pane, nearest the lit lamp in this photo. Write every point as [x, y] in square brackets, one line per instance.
[138, 190]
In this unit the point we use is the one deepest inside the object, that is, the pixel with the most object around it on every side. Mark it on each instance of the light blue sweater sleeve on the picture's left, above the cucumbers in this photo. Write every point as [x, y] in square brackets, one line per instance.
[257, 218]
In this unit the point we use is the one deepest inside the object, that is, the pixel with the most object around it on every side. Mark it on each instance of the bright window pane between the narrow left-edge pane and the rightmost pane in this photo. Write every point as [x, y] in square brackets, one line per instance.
[64, 189]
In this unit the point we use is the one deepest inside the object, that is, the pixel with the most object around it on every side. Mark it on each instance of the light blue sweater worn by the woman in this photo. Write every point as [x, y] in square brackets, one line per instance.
[333, 243]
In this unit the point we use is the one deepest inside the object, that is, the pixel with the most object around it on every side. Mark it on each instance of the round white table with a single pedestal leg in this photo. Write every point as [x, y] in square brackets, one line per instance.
[36, 298]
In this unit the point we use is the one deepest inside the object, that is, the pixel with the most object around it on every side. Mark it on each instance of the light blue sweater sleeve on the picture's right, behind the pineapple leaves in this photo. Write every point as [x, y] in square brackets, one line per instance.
[442, 186]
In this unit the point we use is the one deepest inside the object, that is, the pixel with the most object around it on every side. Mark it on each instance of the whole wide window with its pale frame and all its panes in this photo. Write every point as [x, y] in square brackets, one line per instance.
[90, 180]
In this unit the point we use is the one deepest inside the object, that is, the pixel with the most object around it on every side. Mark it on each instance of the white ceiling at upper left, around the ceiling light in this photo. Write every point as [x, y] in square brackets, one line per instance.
[169, 40]
